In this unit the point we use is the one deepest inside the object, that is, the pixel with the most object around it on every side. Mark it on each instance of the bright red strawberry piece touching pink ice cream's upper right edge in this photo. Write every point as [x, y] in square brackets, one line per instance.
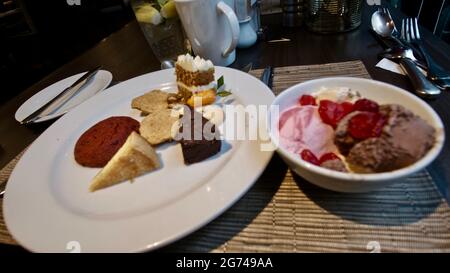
[332, 112]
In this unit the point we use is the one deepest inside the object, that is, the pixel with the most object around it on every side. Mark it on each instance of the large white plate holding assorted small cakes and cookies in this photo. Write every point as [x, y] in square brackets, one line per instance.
[48, 208]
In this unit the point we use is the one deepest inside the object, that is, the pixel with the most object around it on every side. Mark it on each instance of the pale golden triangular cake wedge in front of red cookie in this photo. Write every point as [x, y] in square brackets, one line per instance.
[133, 159]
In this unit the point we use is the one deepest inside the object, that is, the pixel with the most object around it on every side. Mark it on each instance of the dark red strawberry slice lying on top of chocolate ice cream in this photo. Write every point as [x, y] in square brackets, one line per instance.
[366, 124]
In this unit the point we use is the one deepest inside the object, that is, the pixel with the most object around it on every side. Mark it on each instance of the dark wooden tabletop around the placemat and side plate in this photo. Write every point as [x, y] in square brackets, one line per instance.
[126, 54]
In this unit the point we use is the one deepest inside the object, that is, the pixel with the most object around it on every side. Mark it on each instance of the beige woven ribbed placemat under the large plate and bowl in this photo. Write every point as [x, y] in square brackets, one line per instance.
[284, 213]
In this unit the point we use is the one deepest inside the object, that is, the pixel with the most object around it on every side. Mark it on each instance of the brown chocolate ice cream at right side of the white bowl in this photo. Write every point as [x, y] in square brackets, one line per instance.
[405, 139]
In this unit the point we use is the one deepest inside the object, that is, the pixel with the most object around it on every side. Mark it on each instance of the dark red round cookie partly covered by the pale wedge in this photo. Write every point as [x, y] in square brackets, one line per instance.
[99, 143]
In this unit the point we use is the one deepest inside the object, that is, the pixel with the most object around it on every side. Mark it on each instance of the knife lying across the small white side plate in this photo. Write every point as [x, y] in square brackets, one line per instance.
[61, 98]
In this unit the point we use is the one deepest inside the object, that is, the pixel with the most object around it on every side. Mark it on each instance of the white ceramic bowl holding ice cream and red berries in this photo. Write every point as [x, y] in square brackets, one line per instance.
[378, 91]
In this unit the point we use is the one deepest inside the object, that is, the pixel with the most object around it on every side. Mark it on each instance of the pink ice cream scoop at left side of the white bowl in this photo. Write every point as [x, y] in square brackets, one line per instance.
[301, 127]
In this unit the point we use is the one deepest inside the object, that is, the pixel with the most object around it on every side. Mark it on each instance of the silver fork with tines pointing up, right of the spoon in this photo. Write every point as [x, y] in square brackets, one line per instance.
[411, 34]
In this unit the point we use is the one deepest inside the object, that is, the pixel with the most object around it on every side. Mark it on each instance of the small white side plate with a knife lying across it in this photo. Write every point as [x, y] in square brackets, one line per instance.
[99, 82]
